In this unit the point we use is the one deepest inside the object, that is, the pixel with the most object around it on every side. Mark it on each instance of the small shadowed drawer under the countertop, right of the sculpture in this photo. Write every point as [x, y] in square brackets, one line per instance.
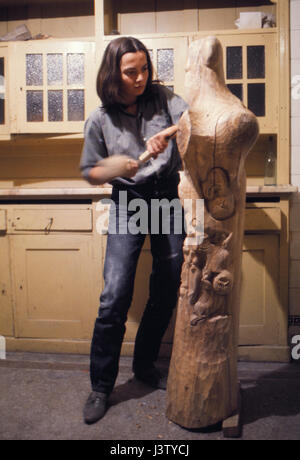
[263, 219]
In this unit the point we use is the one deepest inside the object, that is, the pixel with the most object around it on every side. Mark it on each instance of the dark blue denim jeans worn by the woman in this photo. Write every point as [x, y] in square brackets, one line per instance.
[121, 259]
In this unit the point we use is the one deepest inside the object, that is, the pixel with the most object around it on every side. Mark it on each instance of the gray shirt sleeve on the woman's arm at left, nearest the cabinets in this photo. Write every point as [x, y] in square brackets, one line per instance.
[94, 148]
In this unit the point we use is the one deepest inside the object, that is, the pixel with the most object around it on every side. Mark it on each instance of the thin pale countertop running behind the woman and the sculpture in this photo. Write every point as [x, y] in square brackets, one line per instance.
[91, 192]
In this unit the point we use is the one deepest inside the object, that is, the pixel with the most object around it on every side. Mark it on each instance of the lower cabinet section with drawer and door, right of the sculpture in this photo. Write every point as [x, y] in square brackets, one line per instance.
[264, 288]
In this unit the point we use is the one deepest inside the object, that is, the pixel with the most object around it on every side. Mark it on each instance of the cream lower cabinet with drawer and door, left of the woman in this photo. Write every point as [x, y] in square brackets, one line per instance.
[55, 276]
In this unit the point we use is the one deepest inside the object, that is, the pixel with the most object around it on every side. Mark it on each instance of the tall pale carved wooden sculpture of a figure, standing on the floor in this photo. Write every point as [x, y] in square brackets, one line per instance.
[214, 137]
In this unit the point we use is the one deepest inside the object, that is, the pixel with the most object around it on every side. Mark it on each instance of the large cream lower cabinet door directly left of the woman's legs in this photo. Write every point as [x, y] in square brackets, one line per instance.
[53, 286]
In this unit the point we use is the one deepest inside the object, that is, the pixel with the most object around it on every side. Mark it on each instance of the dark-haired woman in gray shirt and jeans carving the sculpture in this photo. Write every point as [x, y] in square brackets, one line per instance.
[134, 114]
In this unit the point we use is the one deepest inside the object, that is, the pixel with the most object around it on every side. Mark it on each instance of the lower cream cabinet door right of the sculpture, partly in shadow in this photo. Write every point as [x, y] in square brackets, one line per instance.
[260, 304]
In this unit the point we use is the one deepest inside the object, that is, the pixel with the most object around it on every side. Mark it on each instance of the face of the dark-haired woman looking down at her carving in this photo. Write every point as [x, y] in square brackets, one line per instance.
[134, 76]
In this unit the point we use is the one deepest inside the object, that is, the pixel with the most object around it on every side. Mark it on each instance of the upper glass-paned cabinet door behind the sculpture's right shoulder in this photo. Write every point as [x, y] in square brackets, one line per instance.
[251, 73]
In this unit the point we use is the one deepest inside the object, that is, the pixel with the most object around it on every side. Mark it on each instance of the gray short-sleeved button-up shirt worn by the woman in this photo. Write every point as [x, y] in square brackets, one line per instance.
[121, 133]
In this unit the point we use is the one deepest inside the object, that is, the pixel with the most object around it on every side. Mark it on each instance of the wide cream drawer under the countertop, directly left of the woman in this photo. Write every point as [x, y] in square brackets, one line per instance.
[48, 220]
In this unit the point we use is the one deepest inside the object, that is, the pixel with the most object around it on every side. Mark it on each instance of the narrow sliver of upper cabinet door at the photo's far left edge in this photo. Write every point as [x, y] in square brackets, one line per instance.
[4, 114]
